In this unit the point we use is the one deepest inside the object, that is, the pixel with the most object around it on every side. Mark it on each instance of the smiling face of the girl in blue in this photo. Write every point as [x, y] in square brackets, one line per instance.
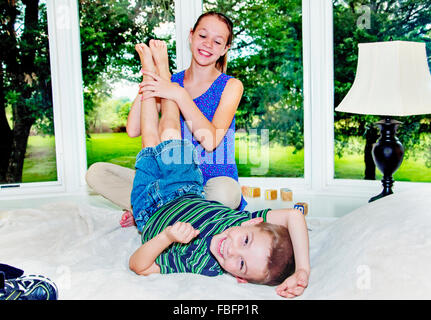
[208, 41]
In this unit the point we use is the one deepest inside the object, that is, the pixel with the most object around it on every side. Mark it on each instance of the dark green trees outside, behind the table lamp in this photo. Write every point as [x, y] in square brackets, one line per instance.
[389, 19]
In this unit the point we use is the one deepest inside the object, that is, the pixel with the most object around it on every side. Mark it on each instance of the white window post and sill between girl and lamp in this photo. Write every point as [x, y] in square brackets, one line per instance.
[318, 92]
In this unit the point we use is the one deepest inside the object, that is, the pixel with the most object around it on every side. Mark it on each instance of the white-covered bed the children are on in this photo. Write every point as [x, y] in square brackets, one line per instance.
[379, 251]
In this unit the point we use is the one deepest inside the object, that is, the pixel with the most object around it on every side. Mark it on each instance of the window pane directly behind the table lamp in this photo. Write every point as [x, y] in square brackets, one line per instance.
[371, 21]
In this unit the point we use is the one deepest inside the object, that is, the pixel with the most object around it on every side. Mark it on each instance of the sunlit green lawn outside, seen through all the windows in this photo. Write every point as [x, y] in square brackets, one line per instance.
[118, 148]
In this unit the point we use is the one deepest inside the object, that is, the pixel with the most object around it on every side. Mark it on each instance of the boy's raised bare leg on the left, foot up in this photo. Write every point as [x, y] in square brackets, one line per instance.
[149, 117]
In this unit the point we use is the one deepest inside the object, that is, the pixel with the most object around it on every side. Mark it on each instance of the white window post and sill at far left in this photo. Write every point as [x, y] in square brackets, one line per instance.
[68, 106]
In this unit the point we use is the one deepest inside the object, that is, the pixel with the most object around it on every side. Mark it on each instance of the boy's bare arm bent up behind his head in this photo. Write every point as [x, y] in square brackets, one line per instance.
[295, 223]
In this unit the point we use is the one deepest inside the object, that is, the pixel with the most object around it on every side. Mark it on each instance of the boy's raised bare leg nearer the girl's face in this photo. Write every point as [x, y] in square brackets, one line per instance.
[169, 126]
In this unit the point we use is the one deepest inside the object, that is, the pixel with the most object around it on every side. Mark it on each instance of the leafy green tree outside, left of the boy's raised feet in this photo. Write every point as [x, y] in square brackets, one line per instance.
[109, 31]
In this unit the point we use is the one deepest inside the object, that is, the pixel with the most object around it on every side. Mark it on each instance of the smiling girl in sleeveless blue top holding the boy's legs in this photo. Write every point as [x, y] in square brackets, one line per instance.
[207, 99]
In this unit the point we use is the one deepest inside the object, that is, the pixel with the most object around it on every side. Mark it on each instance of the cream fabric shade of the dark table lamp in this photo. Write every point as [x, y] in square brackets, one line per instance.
[392, 79]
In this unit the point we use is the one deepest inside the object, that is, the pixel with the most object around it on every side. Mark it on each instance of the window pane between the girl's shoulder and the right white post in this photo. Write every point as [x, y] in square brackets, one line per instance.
[266, 56]
